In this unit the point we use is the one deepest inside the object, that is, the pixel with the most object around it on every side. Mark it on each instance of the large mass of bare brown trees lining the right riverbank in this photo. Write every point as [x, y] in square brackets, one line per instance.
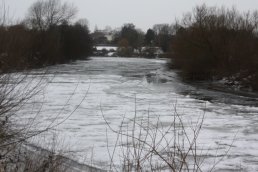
[214, 43]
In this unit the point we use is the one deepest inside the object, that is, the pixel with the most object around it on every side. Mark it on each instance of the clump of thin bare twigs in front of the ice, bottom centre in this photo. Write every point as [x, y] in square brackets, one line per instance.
[144, 145]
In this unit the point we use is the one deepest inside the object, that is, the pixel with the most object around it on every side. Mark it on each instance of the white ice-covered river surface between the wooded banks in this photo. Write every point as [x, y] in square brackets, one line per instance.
[78, 95]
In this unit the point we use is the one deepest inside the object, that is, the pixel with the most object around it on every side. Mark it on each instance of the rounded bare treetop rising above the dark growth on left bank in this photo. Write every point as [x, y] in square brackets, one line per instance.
[45, 13]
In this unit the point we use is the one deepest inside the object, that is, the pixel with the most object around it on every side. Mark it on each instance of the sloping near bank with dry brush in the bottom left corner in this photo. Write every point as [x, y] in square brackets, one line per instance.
[28, 157]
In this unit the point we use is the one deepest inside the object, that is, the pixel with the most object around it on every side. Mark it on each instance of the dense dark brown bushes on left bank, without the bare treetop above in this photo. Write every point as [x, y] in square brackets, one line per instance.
[23, 48]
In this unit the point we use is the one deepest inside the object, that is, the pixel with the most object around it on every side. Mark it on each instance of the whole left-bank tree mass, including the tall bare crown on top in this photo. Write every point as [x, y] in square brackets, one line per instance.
[45, 37]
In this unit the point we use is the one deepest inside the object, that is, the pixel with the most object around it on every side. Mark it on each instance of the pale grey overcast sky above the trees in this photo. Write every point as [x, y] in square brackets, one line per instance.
[143, 13]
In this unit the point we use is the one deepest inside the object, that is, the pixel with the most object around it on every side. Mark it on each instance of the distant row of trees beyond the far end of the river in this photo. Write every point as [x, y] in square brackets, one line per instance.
[130, 39]
